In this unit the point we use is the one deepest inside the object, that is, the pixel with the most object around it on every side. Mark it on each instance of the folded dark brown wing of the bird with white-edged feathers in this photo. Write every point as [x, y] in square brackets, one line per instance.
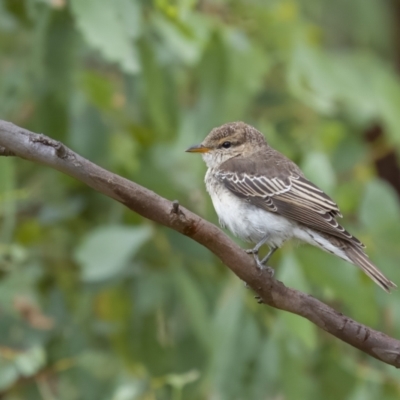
[291, 196]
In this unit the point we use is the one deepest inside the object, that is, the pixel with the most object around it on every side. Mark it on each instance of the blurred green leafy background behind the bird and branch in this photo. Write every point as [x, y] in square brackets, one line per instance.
[98, 303]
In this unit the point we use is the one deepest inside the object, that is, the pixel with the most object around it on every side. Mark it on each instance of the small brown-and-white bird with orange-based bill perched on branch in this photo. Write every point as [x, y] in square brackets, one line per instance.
[264, 198]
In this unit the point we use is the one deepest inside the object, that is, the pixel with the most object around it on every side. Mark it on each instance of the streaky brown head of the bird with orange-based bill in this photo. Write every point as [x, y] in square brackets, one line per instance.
[227, 141]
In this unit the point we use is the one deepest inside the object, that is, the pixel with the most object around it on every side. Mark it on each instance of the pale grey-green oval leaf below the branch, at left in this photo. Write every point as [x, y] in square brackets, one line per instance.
[105, 252]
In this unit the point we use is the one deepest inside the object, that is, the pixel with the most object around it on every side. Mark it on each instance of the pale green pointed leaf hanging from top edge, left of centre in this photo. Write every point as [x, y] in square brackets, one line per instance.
[104, 26]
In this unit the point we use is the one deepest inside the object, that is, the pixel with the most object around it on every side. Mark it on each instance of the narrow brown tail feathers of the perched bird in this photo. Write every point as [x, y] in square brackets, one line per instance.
[357, 256]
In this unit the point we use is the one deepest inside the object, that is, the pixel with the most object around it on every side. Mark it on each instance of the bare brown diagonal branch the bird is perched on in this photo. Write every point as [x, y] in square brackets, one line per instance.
[44, 150]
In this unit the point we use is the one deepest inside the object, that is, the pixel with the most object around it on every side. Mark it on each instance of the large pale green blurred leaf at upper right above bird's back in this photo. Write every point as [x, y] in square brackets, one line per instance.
[329, 82]
